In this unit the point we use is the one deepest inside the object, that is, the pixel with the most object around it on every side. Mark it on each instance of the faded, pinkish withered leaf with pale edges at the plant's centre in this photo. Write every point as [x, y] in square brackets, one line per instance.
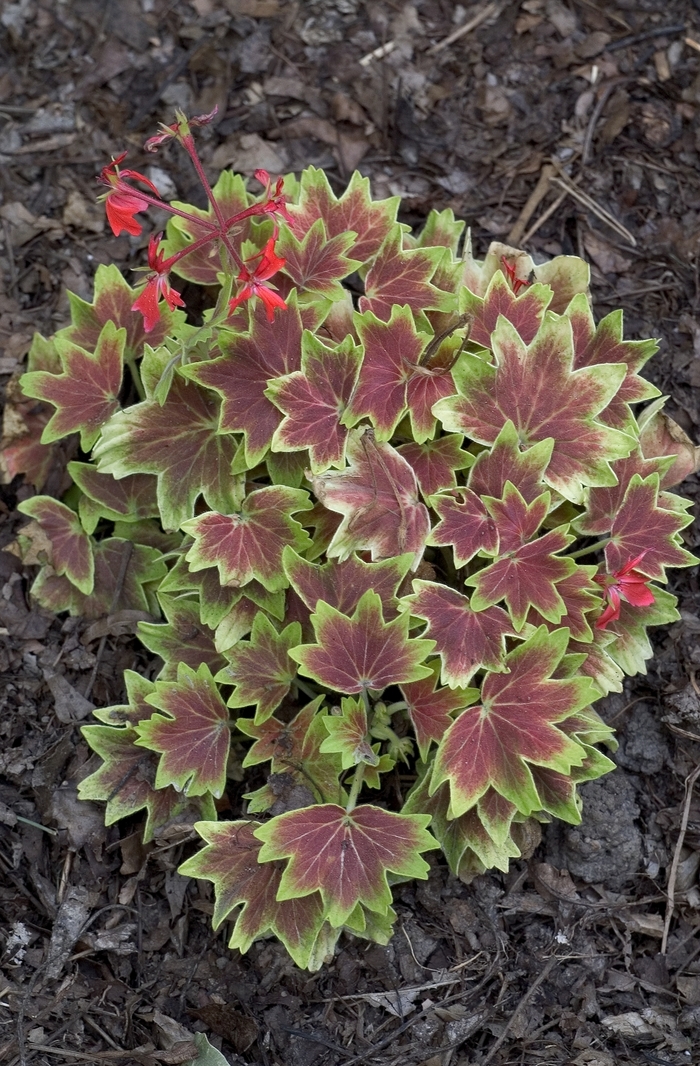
[378, 495]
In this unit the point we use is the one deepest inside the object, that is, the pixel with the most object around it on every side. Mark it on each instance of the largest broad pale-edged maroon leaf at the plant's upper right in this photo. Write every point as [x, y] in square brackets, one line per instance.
[538, 389]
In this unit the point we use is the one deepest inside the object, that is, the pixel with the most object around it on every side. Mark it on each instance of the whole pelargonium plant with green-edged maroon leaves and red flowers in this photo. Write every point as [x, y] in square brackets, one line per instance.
[388, 520]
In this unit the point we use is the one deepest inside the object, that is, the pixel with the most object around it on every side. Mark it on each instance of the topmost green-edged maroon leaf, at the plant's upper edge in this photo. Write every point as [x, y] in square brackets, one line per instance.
[370, 221]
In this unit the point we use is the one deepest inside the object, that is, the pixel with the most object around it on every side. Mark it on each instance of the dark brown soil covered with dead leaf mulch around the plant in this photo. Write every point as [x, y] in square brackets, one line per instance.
[108, 954]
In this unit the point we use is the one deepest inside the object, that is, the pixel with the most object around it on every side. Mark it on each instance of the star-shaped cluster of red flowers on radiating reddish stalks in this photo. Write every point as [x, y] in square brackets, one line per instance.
[123, 203]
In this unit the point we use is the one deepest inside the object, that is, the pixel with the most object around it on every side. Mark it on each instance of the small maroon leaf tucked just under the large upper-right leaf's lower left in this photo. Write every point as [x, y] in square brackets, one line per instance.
[506, 462]
